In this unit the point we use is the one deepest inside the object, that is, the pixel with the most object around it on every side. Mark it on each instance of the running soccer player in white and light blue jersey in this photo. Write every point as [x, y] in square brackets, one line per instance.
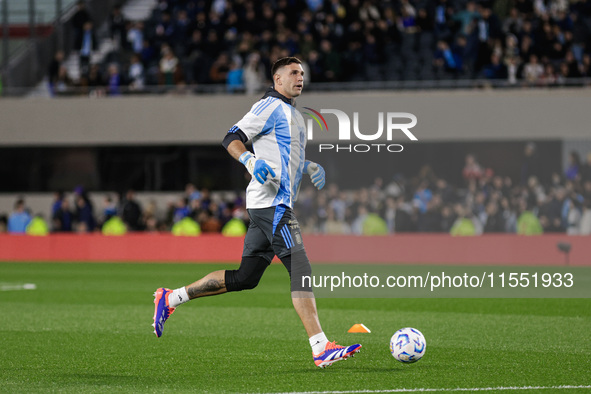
[276, 129]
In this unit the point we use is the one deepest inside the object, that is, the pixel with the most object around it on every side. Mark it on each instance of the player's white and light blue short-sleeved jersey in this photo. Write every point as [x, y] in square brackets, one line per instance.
[278, 135]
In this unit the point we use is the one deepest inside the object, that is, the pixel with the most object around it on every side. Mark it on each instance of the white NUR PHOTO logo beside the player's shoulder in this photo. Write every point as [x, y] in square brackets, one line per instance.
[393, 125]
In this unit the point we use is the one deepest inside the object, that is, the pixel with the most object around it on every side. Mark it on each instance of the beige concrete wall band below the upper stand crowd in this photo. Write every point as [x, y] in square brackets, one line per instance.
[472, 115]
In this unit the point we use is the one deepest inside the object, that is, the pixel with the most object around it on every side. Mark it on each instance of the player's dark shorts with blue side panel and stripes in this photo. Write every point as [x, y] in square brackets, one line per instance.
[273, 231]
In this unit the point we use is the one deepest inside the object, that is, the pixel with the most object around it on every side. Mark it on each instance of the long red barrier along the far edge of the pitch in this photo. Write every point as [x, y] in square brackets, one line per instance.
[394, 249]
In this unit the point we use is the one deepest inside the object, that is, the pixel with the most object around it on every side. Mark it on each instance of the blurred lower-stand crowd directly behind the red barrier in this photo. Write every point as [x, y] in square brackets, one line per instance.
[485, 203]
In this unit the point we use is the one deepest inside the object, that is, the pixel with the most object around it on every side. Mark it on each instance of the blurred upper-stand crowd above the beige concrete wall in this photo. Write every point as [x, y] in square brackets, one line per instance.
[234, 42]
